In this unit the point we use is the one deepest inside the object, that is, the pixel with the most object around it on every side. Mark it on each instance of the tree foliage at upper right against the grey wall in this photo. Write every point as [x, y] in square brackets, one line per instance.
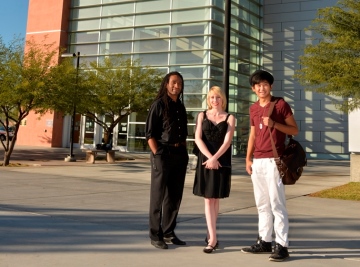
[332, 64]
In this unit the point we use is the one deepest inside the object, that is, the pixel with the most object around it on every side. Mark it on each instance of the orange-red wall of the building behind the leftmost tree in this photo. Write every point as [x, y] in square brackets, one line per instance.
[46, 18]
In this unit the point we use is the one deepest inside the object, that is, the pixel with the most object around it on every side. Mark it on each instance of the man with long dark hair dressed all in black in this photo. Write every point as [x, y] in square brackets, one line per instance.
[166, 132]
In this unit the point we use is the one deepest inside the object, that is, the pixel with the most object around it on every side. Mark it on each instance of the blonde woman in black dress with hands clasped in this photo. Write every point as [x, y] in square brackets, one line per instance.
[213, 135]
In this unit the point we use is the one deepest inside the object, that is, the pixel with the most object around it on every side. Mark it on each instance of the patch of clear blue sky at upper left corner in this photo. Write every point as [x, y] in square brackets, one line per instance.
[13, 18]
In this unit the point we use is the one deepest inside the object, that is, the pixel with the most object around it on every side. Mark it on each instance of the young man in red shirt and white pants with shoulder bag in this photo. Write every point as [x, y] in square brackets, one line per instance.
[269, 190]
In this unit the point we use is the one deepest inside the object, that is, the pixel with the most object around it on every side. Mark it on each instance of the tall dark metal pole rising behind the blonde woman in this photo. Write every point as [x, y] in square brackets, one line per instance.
[226, 71]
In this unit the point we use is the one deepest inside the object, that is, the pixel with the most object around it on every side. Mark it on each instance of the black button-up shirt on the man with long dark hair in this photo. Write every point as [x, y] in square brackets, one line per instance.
[167, 132]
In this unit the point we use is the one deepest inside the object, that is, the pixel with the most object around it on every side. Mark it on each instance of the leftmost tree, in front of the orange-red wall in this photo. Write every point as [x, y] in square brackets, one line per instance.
[24, 79]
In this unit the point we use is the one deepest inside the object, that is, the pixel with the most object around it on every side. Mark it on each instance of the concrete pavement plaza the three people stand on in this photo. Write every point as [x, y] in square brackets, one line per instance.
[57, 213]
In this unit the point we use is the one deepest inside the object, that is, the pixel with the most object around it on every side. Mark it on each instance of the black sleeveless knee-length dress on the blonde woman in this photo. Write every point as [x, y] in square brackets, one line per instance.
[213, 183]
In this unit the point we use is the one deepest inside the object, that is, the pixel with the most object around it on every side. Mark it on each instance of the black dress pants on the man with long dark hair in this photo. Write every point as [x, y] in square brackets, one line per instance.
[168, 171]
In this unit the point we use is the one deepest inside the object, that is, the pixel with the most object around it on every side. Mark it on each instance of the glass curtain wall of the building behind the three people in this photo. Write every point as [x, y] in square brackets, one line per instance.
[182, 35]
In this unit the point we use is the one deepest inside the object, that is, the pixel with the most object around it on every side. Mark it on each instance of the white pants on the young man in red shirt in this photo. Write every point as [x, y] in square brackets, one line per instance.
[270, 201]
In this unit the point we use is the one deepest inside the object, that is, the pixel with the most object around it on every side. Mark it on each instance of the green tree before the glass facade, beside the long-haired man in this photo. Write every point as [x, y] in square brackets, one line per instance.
[118, 87]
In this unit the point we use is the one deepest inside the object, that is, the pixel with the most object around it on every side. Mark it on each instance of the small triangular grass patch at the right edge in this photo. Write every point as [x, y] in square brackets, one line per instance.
[350, 191]
